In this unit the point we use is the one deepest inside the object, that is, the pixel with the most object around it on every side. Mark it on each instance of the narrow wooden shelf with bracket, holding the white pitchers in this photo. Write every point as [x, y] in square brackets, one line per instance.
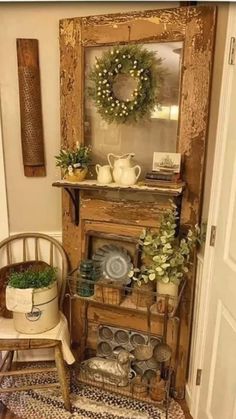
[74, 188]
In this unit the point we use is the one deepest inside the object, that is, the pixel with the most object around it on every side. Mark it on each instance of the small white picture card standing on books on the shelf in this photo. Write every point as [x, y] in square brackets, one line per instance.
[166, 162]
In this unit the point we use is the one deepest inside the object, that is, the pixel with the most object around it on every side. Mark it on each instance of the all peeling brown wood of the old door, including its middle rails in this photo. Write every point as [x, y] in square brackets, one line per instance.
[195, 26]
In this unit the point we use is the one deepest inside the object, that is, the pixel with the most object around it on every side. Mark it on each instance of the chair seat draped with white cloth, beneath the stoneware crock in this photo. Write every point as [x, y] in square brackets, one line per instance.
[10, 339]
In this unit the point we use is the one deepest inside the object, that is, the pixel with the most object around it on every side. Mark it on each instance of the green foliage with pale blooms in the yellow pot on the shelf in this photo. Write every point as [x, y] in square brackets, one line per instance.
[78, 157]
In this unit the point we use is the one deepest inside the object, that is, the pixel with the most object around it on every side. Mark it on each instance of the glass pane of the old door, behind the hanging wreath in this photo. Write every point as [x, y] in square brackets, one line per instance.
[158, 133]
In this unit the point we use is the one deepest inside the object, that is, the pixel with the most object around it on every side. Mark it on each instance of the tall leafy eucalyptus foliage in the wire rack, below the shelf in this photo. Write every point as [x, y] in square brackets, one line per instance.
[166, 257]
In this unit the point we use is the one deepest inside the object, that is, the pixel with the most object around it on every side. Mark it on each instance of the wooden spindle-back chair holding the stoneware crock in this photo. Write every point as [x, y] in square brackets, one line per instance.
[43, 248]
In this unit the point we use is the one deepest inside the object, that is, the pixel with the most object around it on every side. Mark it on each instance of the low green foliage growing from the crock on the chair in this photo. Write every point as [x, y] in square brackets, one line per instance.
[32, 279]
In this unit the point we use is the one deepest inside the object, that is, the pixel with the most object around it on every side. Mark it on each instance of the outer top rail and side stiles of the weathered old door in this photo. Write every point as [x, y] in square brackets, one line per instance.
[195, 26]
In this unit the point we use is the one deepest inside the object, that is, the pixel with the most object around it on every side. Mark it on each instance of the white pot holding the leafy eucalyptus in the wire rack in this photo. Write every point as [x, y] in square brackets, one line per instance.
[171, 289]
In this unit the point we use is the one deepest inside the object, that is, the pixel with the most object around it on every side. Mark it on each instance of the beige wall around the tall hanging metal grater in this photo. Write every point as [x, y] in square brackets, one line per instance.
[34, 205]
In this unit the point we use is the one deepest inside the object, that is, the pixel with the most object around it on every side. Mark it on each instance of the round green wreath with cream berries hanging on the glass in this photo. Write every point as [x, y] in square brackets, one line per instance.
[133, 60]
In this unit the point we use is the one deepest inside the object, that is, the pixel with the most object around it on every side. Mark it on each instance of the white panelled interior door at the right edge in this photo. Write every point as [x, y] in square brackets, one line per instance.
[218, 386]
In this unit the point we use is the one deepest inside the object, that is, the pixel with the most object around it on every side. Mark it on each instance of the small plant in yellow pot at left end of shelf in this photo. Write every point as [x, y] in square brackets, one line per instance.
[74, 162]
